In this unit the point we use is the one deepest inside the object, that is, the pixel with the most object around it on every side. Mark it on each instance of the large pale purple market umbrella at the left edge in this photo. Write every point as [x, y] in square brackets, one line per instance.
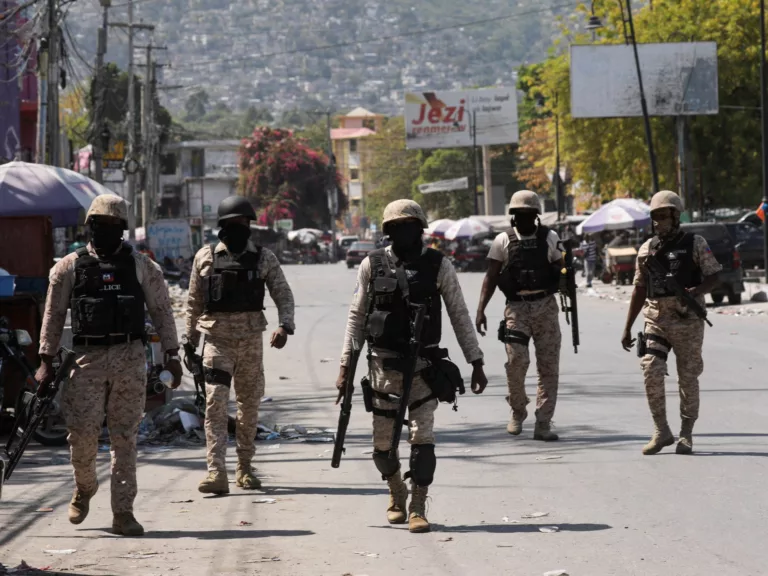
[40, 190]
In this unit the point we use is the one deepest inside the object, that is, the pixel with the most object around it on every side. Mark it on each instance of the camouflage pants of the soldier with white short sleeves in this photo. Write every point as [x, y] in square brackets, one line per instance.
[539, 321]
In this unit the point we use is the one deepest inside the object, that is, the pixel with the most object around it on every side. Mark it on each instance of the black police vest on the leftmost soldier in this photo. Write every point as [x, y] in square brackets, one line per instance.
[107, 298]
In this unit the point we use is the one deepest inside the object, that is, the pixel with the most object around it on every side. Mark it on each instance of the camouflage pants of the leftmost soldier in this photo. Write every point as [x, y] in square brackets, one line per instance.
[110, 380]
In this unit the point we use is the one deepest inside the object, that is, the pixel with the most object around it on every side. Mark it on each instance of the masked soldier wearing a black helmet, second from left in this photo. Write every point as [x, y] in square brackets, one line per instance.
[226, 303]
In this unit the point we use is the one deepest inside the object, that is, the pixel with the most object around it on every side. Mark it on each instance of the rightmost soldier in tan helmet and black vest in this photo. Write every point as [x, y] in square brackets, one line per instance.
[669, 324]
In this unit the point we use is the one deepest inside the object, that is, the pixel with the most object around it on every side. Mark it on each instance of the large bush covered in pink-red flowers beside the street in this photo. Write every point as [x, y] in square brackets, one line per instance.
[286, 179]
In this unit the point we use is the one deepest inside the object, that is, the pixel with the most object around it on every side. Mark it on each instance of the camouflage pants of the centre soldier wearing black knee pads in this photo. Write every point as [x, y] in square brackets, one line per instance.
[422, 419]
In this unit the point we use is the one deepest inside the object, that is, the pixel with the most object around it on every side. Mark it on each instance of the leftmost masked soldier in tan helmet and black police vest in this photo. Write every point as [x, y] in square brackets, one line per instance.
[106, 284]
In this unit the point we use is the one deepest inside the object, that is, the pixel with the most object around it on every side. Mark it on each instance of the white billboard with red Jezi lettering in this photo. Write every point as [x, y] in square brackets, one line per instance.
[444, 119]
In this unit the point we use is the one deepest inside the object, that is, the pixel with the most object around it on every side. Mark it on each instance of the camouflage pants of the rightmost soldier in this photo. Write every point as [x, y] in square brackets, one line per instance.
[686, 338]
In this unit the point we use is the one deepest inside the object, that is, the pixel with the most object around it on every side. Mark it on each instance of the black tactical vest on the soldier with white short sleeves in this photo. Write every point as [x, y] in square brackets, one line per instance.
[528, 266]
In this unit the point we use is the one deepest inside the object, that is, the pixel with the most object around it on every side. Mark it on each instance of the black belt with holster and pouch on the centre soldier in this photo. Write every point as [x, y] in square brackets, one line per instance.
[442, 376]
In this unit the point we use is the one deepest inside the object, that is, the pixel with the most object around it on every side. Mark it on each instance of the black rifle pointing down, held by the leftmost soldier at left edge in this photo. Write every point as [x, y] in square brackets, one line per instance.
[34, 409]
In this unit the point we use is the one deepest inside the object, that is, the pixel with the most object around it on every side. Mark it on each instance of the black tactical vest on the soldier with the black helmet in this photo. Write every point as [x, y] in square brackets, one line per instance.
[235, 285]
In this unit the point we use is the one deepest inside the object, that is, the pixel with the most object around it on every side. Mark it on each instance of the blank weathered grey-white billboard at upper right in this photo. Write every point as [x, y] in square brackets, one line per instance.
[679, 79]
